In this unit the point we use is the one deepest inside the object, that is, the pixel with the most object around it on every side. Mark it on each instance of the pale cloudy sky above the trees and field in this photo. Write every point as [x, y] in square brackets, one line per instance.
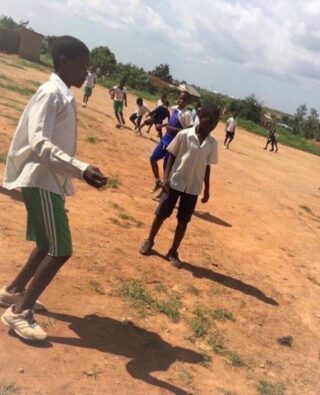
[270, 48]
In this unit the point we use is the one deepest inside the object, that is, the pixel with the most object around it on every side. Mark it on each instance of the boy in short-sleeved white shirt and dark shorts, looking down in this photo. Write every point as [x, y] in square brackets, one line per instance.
[191, 153]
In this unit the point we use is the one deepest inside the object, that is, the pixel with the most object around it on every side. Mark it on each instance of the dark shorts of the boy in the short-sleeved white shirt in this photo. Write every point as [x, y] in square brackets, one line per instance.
[168, 201]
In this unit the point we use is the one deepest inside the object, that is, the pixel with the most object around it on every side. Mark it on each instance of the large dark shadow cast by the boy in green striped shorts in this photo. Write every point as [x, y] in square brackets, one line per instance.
[147, 350]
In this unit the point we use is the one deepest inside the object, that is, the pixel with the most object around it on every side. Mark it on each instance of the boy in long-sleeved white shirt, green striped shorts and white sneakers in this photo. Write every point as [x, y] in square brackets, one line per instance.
[41, 162]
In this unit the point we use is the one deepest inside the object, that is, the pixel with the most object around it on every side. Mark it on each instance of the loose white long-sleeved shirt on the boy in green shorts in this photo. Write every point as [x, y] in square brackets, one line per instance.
[44, 144]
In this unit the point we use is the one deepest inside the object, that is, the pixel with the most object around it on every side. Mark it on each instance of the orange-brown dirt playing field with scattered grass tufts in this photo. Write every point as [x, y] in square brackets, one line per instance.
[251, 273]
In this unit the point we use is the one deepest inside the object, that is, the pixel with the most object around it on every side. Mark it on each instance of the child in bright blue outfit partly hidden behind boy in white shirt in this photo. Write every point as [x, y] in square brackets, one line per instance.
[180, 118]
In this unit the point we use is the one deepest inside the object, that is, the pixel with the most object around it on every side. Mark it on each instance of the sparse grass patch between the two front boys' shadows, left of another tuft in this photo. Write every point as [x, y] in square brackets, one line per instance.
[141, 299]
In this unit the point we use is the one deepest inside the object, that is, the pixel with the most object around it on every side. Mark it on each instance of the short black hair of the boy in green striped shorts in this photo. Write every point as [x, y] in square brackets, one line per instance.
[67, 46]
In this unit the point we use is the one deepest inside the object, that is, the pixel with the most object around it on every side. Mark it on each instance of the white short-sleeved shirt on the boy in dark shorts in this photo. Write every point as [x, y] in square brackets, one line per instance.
[188, 170]
